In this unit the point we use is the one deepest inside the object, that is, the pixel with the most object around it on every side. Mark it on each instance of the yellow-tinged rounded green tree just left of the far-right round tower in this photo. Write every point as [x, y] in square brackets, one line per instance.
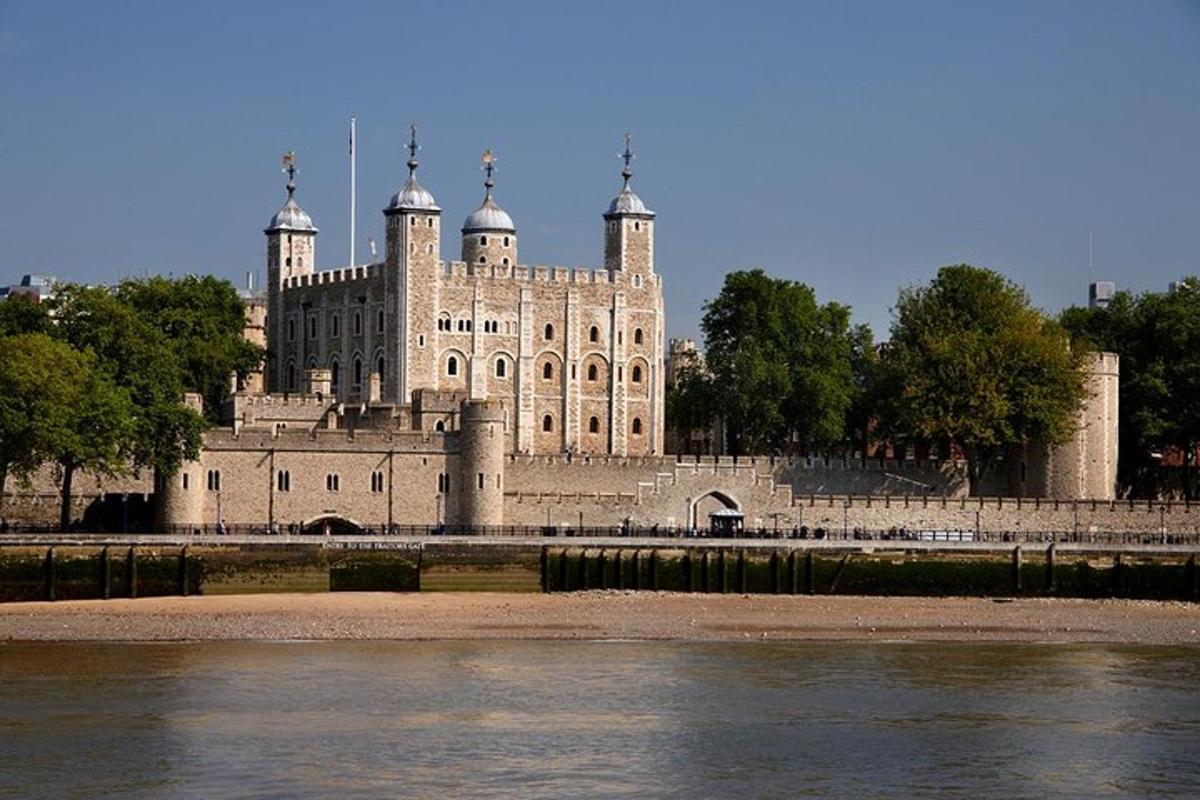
[971, 363]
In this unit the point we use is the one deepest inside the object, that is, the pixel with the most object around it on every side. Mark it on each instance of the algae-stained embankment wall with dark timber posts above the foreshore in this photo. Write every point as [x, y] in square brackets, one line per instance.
[105, 568]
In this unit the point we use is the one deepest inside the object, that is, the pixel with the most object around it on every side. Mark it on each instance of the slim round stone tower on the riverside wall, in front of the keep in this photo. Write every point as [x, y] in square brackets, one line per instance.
[482, 464]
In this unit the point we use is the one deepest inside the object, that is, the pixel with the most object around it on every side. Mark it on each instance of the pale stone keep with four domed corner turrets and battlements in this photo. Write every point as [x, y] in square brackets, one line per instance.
[573, 357]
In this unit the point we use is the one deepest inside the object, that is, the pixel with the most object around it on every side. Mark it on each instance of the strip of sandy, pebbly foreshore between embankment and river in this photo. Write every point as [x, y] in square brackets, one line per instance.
[601, 616]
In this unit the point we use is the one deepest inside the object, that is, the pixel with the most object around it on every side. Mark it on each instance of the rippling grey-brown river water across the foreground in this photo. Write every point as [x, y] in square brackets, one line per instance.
[598, 720]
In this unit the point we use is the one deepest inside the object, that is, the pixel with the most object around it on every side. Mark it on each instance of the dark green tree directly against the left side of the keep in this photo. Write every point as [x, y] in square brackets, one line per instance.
[202, 320]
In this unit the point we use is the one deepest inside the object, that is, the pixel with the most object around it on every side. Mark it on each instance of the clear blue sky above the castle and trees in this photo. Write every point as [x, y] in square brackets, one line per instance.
[856, 147]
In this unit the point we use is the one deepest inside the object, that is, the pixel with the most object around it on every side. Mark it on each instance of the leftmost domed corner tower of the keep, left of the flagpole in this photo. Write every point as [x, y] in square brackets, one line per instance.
[291, 254]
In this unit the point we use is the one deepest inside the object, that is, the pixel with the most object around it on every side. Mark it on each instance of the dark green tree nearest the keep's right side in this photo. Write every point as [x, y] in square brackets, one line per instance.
[779, 363]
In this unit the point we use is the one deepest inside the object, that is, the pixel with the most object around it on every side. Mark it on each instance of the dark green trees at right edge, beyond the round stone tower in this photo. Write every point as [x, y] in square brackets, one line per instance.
[1157, 336]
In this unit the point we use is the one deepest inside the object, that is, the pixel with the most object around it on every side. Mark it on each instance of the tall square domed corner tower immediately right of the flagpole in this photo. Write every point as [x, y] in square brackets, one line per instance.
[415, 245]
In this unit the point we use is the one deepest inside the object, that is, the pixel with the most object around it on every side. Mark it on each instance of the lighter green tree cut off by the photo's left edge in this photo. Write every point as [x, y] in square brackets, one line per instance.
[40, 378]
